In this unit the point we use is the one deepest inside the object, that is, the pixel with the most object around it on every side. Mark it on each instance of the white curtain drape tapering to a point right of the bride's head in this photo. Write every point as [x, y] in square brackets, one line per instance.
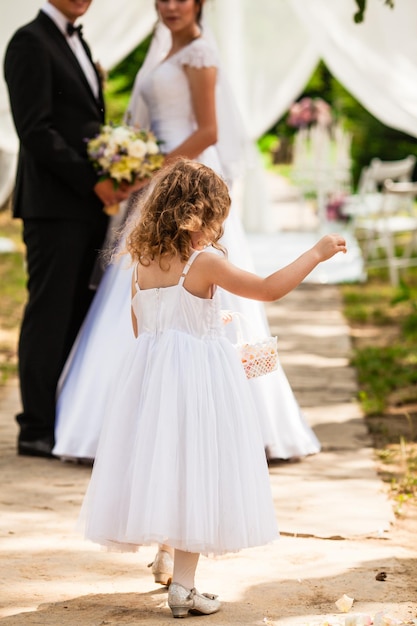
[267, 53]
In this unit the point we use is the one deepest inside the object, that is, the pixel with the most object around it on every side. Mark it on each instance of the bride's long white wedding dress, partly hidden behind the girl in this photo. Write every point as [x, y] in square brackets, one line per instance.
[164, 100]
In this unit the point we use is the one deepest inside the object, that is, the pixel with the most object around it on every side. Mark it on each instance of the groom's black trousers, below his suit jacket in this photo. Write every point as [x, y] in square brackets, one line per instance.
[60, 258]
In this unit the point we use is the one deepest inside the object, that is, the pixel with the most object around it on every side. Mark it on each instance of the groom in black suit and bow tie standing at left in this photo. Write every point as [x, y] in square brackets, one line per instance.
[57, 102]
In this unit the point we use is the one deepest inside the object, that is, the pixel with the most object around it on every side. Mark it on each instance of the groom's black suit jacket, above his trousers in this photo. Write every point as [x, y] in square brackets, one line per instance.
[54, 111]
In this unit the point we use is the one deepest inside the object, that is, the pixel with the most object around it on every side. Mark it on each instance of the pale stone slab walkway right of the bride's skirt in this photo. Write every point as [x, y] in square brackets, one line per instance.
[315, 349]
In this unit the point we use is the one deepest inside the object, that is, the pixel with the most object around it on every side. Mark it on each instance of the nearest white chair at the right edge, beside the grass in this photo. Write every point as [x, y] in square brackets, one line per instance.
[390, 232]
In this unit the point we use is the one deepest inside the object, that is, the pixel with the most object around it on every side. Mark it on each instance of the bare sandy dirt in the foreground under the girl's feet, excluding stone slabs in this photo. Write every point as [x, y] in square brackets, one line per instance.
[51, 576]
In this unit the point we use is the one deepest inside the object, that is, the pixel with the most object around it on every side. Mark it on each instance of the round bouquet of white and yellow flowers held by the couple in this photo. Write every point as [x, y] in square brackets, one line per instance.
[124, 154]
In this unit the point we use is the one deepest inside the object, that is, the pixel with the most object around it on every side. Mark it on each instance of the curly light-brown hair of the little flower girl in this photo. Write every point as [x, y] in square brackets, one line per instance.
[185, 197]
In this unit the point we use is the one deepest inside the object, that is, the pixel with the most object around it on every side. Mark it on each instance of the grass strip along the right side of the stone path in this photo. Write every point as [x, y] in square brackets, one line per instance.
[383, 322]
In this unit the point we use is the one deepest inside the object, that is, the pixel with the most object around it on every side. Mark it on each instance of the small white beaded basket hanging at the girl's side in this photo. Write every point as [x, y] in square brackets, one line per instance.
[258, 357]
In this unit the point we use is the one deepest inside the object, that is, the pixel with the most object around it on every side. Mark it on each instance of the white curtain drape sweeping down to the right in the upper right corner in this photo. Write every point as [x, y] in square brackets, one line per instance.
[375, 60]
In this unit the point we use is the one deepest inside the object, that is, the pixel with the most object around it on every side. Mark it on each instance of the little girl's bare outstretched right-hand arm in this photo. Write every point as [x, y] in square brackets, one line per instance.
[220, 272]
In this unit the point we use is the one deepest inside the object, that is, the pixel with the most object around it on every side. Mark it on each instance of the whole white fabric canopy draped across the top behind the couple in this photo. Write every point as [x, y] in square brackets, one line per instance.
[269, 50]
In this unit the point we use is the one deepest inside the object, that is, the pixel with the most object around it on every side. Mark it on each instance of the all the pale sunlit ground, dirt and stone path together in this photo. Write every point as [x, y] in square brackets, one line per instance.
[51, 576]
